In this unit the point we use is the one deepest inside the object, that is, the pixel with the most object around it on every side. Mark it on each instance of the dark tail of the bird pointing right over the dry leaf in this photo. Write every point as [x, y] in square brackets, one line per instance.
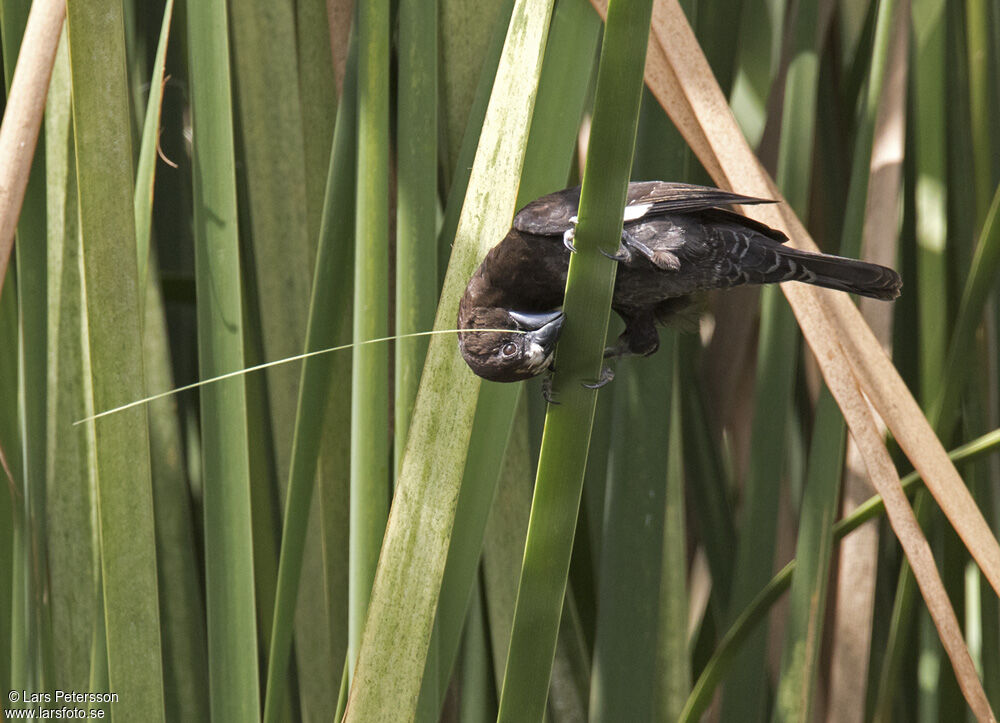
[831, 272]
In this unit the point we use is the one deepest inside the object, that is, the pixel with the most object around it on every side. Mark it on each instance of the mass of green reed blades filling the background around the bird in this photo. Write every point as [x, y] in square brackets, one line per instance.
[211, 555]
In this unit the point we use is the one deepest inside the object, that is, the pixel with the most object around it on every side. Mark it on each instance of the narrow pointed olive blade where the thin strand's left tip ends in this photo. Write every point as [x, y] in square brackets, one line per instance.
[73, 554]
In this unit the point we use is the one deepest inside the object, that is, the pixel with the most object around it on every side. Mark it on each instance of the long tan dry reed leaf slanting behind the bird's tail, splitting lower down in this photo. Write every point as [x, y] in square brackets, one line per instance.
[848, 353]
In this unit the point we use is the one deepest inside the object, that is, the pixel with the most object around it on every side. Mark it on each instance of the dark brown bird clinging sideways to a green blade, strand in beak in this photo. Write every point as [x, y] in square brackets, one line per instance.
[677, 241]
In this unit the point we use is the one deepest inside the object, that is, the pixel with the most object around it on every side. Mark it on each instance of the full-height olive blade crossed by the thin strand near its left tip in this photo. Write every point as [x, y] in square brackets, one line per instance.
[107, 225]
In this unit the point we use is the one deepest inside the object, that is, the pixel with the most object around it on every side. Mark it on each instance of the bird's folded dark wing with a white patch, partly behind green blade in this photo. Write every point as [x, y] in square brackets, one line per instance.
[553, 214]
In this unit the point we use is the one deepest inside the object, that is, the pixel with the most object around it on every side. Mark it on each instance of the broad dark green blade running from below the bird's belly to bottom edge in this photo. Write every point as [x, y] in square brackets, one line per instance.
[632, 562]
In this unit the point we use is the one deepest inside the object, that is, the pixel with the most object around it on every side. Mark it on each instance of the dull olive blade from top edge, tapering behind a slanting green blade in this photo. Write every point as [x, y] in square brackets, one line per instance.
[270, 118]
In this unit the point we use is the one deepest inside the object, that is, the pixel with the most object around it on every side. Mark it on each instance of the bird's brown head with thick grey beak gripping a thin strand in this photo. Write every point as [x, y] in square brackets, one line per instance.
[508, 356]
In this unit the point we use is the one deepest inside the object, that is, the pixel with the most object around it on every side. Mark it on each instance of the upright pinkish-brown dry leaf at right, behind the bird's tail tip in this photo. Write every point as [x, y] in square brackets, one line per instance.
[858, 627]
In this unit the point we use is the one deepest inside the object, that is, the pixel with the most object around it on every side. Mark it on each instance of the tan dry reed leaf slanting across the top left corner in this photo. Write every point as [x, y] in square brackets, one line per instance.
[23, 117]
